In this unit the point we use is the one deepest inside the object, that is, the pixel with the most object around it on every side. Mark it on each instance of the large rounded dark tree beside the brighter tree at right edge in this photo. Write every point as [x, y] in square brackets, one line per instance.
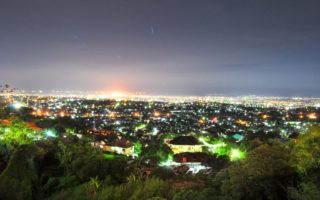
[262, 175]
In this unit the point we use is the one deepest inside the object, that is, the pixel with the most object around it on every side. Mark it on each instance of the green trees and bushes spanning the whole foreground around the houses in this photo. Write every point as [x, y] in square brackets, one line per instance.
[65, 168]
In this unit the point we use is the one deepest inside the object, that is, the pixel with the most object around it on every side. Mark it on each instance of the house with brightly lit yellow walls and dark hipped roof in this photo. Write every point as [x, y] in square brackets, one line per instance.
[182, 144]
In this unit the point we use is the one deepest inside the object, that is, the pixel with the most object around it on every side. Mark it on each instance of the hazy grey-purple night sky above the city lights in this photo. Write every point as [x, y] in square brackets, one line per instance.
[170, 47]
